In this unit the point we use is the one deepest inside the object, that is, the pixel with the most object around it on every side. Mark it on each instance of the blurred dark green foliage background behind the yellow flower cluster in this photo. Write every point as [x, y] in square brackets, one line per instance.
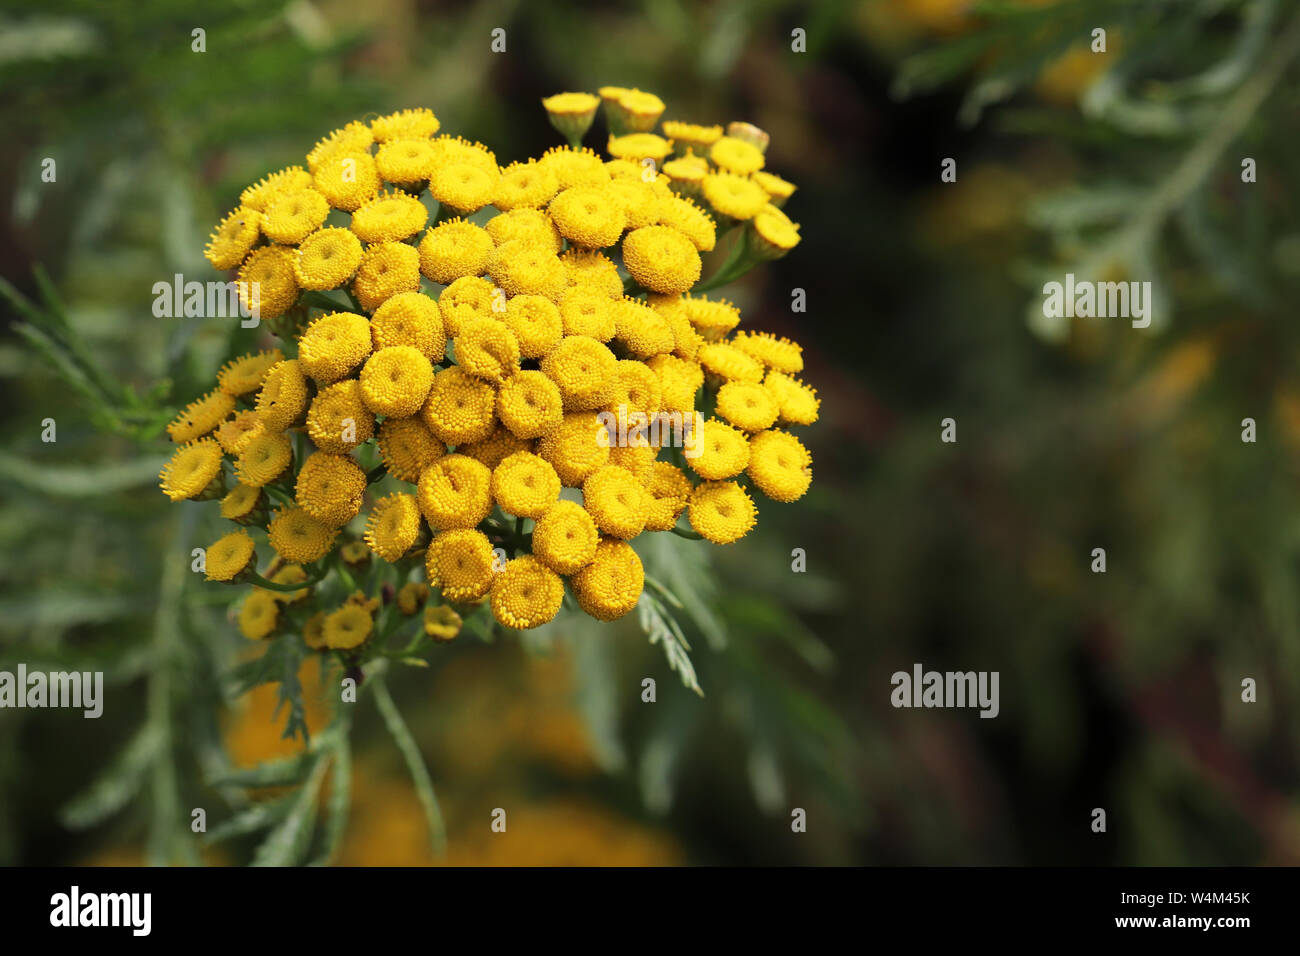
[1119, 690]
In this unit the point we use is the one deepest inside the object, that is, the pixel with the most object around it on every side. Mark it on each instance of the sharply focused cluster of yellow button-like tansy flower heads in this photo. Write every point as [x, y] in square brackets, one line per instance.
[456, 335]
